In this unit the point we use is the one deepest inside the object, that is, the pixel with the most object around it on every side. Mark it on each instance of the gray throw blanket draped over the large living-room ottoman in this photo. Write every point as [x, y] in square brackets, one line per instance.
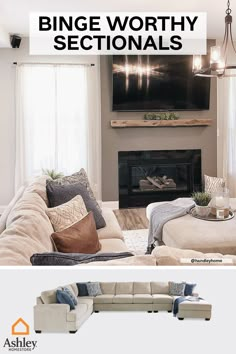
[160, 215]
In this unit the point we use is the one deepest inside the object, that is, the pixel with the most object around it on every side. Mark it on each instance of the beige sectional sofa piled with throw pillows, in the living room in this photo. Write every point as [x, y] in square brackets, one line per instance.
[26, 229]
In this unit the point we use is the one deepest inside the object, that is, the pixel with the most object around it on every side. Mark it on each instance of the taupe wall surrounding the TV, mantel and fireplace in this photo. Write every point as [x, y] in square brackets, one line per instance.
[114, 140]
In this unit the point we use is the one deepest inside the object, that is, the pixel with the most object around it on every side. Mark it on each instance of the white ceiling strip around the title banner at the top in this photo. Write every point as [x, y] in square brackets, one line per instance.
[14, 13]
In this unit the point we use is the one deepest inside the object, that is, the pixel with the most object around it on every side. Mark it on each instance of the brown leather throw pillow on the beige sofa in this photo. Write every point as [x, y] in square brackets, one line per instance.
[81, 237]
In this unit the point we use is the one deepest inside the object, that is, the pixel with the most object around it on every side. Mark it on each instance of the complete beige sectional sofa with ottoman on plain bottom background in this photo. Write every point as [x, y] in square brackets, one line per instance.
[50, 316]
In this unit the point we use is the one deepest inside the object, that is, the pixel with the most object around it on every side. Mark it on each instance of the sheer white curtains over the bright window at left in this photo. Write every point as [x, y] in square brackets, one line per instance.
[57, 121]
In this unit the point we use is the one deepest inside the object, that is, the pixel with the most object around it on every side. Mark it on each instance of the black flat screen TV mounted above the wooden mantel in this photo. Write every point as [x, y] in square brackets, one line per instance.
[158, 83]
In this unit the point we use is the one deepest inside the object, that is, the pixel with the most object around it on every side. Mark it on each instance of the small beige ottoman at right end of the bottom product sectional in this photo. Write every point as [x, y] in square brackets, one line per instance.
[194, 309]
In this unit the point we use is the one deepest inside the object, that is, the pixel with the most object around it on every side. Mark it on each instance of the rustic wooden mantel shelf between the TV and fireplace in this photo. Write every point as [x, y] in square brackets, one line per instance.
[138, 123]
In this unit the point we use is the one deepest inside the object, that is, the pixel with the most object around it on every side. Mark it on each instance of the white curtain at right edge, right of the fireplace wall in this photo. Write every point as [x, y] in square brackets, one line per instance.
[226, 141]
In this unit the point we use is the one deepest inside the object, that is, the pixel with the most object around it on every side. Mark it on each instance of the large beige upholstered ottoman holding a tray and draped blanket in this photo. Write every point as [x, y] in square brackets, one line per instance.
[190, 233]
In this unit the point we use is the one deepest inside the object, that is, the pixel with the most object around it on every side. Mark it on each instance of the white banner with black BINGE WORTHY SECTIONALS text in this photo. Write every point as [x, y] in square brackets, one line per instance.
[117, 33]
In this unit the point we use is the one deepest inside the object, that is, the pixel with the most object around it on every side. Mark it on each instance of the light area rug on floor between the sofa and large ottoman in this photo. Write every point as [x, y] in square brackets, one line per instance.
[136, 240]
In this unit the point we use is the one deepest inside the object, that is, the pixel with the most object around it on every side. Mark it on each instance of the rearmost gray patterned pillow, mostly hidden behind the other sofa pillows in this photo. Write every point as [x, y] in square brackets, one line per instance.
[79, 177]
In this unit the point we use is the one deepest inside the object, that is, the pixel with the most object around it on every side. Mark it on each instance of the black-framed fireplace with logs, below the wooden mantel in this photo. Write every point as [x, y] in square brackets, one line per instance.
[152, 176]
